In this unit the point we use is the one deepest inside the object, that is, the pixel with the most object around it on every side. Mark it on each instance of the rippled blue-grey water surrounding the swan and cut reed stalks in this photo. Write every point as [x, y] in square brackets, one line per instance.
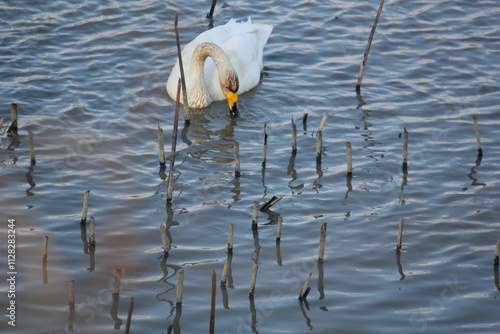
[89, 78]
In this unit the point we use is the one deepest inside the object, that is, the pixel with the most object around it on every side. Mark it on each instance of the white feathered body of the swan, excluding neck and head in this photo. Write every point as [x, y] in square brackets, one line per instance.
[243, 42]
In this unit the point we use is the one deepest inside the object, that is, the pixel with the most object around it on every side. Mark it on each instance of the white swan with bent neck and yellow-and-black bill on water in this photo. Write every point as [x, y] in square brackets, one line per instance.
[221, 63]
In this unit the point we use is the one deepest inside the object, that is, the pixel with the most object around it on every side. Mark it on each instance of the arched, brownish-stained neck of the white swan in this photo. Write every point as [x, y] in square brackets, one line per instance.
[199, 96]
